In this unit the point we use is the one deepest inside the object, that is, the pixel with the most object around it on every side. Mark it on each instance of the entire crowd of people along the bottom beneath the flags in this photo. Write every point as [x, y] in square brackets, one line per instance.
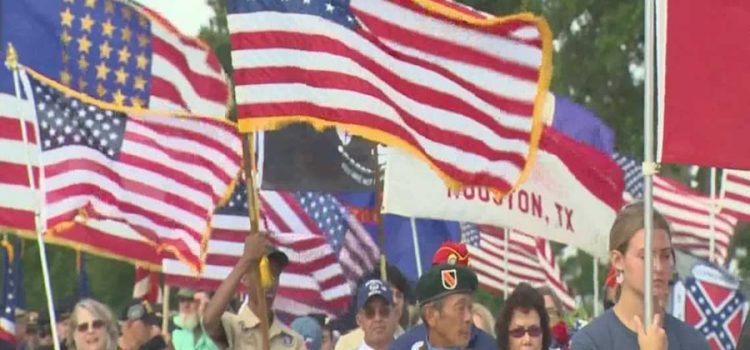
[445, 315]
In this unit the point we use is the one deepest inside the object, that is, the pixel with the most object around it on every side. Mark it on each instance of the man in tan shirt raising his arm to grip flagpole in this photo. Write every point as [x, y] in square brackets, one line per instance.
[242, 330]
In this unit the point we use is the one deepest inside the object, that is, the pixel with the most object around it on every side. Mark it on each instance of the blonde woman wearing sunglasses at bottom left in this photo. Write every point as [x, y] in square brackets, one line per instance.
[93, 327]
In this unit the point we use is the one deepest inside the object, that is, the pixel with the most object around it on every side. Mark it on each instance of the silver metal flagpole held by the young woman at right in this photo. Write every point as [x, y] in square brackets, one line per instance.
[649, 167]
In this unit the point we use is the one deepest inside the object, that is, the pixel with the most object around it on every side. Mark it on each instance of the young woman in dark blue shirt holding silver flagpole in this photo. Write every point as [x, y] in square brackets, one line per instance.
[621, 328]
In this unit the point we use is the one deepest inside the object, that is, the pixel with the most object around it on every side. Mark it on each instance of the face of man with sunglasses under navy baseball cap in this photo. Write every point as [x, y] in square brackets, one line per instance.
[376, 321]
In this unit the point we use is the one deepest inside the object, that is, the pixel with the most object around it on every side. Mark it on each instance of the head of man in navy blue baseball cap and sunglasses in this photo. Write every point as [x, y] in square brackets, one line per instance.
[374, 307]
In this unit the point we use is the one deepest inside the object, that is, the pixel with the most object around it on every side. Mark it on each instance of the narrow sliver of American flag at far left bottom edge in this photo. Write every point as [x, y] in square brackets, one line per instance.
[8, 303]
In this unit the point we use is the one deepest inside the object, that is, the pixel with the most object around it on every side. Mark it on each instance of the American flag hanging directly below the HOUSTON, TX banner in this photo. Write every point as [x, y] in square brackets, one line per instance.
[530, 260]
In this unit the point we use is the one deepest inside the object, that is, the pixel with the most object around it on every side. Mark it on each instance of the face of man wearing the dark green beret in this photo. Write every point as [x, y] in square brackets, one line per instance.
[450, 325]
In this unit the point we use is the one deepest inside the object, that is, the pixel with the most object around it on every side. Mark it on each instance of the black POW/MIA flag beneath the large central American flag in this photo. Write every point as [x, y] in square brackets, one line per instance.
[298, 158]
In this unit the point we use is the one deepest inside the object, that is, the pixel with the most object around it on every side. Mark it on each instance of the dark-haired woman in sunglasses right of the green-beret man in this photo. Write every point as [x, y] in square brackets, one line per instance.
[523, 324]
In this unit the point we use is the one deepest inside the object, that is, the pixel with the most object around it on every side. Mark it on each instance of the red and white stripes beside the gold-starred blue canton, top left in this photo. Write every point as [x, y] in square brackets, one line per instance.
[185, 73]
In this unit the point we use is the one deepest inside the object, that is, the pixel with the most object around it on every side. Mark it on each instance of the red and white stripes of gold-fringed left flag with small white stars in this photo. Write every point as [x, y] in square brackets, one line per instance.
[166, 181]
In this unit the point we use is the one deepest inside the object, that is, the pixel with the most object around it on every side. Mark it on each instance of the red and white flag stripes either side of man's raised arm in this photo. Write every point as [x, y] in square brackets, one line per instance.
[314, 280]
